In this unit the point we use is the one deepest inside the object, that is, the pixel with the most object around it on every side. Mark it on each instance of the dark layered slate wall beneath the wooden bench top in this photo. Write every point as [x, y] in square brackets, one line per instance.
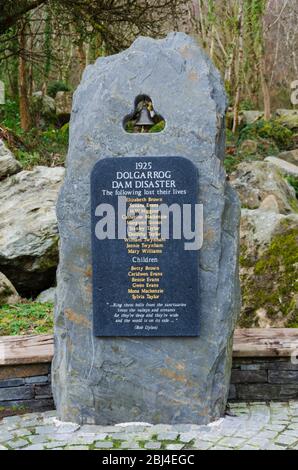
[28, 387]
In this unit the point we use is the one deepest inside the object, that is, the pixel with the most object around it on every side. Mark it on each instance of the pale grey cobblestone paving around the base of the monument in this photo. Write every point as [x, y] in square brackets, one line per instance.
[257, 426]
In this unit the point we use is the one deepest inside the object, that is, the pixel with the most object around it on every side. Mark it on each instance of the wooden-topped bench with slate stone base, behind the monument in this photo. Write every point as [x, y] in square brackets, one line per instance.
[264, 368]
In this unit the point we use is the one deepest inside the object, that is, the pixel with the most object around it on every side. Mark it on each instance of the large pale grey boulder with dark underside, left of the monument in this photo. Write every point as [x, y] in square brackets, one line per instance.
[28, 228]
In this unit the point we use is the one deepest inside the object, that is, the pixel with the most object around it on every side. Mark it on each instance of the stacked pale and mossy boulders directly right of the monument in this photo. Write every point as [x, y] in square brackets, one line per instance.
[269, 237]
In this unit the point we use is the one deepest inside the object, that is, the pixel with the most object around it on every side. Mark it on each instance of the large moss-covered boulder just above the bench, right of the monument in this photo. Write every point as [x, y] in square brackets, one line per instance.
[269, 268]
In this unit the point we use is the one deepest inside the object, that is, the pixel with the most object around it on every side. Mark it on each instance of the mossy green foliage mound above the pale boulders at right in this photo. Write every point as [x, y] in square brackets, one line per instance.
[278, 134]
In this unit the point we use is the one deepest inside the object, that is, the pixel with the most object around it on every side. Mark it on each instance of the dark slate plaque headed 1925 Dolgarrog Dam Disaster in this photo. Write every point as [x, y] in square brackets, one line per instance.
[145, 283]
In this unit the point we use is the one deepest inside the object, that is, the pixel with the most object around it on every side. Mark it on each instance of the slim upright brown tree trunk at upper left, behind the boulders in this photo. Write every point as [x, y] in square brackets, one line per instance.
[23, 91]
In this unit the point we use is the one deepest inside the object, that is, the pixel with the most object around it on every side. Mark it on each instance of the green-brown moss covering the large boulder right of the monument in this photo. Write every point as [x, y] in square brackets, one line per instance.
[274, 281]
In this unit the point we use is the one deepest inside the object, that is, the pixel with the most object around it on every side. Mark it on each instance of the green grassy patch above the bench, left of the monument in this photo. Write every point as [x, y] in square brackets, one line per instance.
[26, 318]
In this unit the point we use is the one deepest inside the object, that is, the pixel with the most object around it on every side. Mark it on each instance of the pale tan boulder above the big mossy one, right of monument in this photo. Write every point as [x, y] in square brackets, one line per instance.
[254, 181]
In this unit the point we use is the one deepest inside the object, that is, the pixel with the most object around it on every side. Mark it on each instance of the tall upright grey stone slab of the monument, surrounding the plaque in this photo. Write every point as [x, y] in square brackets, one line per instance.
[157, 380]
